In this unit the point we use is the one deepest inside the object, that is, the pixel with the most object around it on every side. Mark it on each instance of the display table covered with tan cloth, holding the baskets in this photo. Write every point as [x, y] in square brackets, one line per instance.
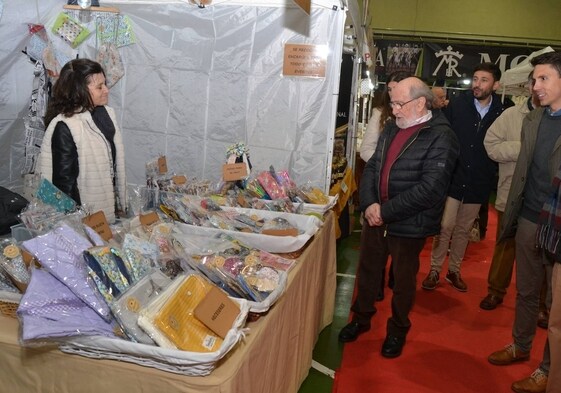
[274, 357]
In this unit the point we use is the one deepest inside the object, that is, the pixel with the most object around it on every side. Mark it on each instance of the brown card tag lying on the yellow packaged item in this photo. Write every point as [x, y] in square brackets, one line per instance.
[217, 311]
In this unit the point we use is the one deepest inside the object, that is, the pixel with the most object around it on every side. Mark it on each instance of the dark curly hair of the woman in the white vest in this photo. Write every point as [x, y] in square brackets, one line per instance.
[70, 94]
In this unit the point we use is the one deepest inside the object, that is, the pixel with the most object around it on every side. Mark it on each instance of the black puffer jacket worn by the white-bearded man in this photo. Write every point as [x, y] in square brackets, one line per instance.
[418, 180]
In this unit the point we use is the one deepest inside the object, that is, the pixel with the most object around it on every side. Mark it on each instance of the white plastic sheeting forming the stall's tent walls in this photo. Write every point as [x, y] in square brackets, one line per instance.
[197, 81]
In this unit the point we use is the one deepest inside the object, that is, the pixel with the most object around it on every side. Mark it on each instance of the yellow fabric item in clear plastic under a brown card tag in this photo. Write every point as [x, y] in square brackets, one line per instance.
[176, 319]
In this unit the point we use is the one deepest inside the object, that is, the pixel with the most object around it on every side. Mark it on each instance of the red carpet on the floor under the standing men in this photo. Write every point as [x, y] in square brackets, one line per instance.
[450, 338]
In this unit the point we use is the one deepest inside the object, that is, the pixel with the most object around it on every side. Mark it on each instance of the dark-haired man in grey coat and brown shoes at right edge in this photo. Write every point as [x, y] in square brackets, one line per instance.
[532, 186]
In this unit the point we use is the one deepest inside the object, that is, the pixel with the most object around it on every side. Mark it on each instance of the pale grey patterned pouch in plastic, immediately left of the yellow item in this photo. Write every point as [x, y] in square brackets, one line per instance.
[126, 308]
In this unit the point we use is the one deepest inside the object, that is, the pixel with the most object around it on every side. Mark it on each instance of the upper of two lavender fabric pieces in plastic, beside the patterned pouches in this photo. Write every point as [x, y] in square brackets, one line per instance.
[60, 253]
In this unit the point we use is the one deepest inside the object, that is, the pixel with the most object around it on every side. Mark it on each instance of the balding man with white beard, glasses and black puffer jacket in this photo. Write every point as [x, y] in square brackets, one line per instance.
[402, 194]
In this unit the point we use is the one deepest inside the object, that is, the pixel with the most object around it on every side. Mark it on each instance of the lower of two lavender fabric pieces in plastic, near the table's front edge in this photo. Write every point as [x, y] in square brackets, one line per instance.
[50, 311]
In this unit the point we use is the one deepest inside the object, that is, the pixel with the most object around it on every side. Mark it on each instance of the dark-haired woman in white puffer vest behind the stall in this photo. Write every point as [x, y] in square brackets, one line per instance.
[82, 151]
